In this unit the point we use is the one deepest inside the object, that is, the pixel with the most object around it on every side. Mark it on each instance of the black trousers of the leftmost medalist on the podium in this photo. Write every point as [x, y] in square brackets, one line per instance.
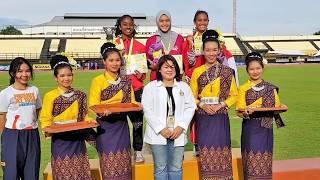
[136, 119]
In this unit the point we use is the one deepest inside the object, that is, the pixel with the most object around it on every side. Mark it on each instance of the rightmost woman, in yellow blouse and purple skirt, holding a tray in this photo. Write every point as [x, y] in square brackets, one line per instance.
[257, 132]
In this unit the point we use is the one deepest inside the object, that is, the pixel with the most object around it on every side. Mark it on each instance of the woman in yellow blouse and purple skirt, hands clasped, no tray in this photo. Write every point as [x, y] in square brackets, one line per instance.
[214, 88]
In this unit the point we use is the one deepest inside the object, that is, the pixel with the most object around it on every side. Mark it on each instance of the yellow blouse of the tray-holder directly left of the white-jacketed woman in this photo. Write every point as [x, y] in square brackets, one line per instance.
[99, 84]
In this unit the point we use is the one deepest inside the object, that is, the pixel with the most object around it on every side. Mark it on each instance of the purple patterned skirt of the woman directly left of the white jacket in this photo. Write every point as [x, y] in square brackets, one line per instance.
[113, 146]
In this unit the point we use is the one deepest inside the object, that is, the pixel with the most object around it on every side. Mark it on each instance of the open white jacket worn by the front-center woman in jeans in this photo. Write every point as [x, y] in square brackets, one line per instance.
[154, 101]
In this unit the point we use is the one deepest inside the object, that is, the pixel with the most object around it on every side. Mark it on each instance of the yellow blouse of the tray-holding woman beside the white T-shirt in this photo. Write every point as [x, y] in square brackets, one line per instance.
[46, 118]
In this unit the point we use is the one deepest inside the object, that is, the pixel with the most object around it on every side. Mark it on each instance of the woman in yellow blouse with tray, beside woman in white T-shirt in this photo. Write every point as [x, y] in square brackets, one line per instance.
[65, 105]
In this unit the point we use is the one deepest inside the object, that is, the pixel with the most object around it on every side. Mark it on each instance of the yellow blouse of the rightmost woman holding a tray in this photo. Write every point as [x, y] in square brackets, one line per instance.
[241, 102]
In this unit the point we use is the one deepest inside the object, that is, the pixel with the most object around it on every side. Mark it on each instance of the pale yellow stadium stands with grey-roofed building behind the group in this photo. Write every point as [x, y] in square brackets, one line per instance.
[80, 35]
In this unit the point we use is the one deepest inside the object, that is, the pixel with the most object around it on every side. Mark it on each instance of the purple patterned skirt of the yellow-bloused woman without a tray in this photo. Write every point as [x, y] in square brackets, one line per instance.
[213, 137]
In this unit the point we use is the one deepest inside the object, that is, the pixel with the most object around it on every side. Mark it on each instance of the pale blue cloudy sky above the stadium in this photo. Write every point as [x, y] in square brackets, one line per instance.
[254, 17]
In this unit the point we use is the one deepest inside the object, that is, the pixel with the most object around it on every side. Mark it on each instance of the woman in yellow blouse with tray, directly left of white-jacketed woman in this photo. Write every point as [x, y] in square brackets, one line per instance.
[113, 139]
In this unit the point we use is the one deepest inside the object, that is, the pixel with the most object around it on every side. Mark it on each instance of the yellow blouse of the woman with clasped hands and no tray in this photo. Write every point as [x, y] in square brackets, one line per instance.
[212, 89]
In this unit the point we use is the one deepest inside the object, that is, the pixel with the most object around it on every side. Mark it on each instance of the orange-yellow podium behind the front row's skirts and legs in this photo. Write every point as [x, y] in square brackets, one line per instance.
[296, 169]
